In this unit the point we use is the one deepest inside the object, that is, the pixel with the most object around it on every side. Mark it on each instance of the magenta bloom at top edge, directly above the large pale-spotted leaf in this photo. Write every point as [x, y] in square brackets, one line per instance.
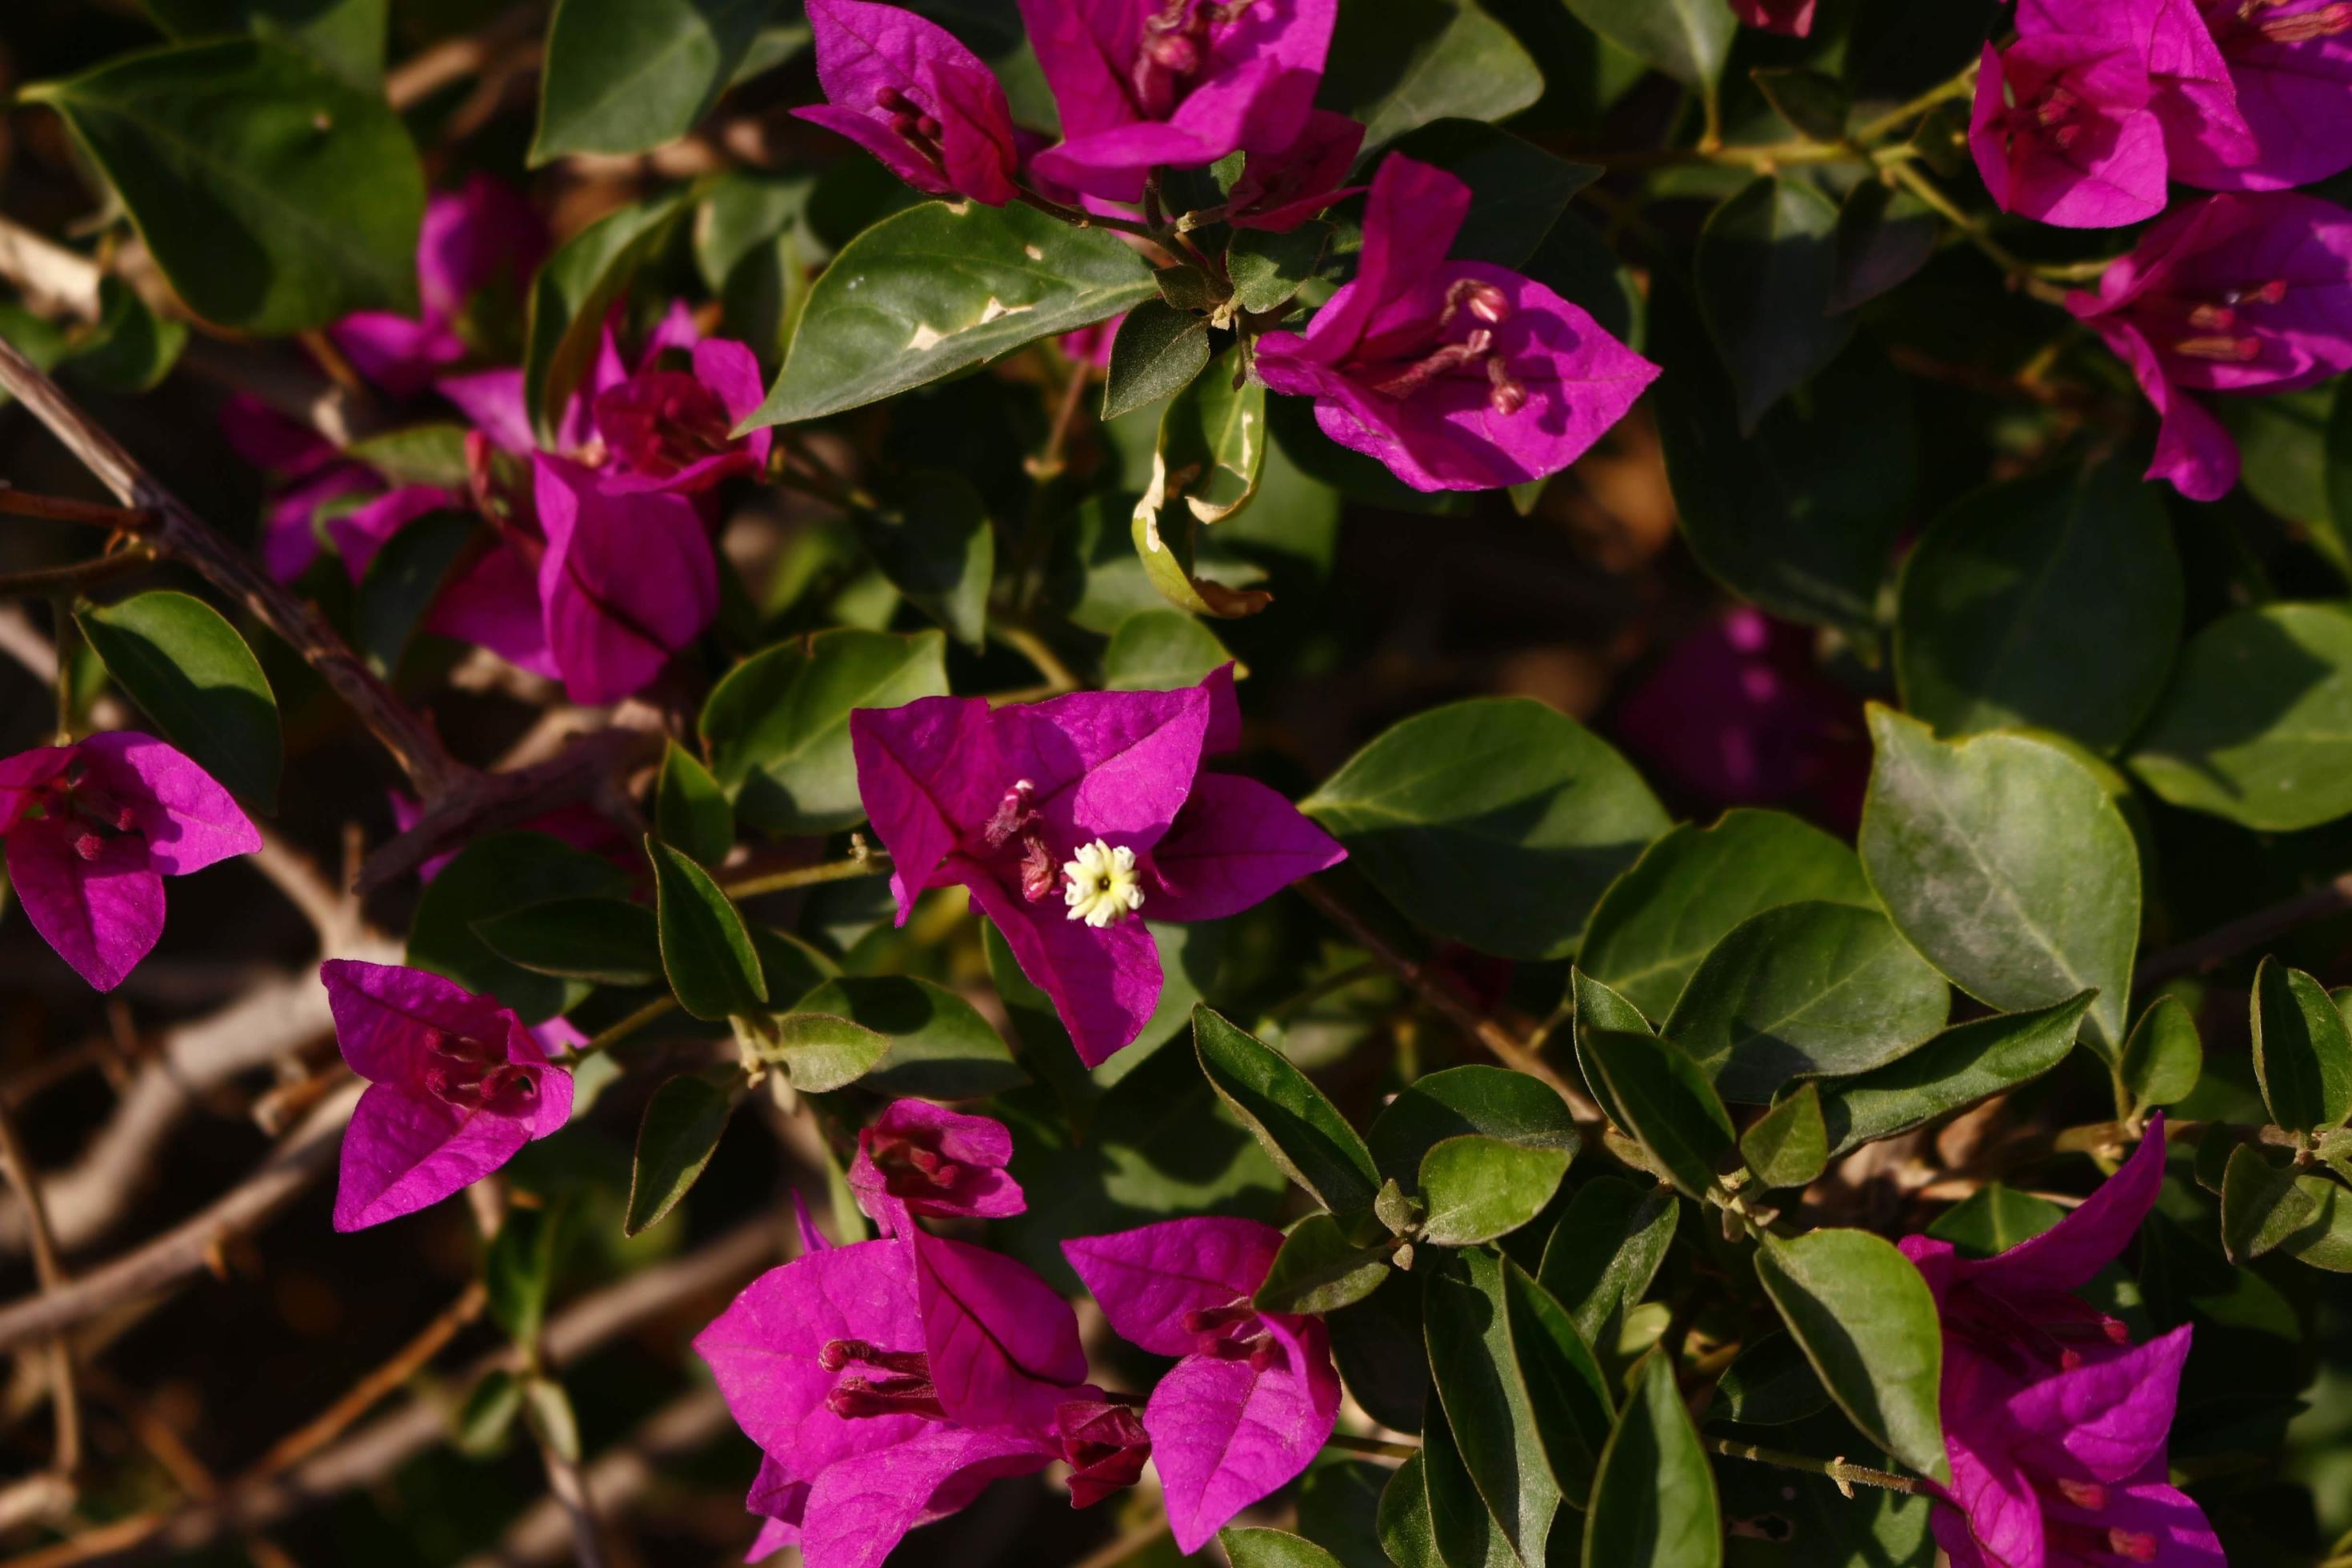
[914, 98]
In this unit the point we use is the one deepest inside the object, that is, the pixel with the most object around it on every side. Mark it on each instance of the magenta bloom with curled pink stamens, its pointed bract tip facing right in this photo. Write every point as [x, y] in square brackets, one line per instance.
[1455, 375]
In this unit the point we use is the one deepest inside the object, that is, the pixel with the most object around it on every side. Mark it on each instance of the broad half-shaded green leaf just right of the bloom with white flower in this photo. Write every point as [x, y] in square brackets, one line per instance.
[1495, 822]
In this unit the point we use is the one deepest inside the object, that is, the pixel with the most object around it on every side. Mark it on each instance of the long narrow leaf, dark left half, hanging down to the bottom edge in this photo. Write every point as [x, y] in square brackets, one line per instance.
[1476, 1374]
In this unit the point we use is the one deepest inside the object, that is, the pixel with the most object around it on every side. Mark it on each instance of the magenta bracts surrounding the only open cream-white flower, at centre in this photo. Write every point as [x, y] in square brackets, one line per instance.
[1003, 800]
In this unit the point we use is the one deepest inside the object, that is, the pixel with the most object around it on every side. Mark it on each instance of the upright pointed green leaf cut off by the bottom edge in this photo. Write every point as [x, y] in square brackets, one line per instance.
[1655, 1496]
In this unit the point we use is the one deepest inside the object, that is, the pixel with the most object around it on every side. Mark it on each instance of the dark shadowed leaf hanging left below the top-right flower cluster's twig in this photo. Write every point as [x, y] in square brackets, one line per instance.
[1763, 274]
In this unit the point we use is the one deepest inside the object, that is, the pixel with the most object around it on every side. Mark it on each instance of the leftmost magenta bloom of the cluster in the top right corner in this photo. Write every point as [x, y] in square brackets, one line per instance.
[2062, 133]
